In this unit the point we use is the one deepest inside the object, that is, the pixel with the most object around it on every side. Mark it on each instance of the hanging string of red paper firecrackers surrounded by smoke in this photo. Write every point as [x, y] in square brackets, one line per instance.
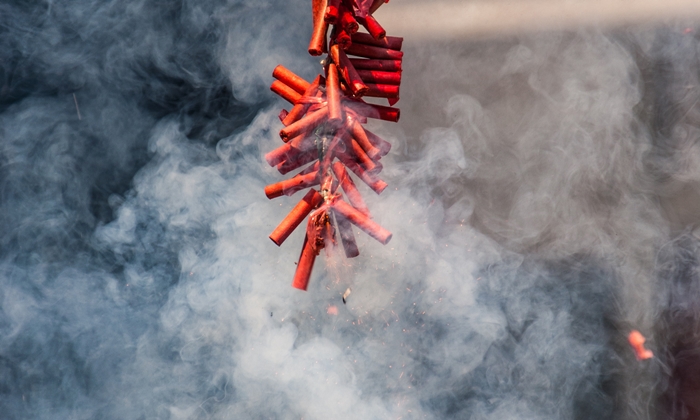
[323, 133]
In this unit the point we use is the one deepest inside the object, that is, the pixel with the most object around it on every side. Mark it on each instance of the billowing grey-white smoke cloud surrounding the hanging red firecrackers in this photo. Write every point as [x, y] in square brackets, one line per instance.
[541, 196]
